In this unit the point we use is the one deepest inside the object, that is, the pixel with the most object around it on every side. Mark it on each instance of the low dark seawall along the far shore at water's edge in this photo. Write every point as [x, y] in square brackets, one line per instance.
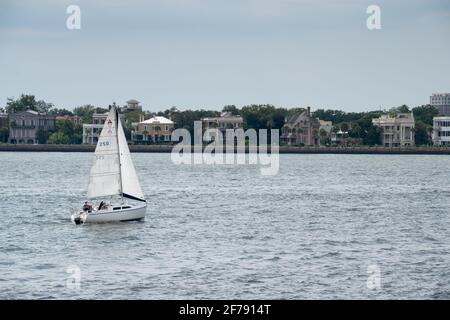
[282, 149]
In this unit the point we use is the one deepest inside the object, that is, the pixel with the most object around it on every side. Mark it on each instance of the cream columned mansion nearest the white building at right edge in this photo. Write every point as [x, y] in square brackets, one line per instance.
[396, 131]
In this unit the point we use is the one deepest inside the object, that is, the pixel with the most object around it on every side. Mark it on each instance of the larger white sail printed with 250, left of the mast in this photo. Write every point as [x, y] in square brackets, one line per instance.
[105, 176]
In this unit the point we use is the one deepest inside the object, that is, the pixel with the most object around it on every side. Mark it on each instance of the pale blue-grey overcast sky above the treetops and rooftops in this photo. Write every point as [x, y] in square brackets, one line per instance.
[210, 53]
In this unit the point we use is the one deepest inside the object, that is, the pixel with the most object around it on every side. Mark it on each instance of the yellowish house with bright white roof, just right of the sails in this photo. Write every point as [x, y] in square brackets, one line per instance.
[154, 130]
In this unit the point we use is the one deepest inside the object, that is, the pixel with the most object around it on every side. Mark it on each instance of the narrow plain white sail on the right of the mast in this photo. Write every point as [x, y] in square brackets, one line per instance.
[130, 183]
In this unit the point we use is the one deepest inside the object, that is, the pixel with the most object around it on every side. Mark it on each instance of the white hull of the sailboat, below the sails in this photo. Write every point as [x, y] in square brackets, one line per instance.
[124, 212]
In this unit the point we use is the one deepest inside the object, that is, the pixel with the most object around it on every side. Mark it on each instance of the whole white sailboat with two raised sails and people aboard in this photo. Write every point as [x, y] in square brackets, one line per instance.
[112, 174]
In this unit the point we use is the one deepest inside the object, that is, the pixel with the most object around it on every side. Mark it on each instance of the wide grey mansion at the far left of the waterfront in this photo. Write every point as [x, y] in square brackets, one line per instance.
[24, 125]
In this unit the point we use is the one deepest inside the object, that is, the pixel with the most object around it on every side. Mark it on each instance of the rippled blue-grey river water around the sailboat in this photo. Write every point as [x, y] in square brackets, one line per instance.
[326, 226]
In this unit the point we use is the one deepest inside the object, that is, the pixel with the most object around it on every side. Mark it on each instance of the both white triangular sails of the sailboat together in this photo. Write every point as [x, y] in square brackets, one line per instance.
[112, 171]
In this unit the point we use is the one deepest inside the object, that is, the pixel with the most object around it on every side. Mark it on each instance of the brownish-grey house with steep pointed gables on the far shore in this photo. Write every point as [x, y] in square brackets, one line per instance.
[301, 128]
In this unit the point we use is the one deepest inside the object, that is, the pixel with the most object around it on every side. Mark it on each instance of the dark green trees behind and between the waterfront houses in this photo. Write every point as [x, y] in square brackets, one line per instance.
[255, 116]
